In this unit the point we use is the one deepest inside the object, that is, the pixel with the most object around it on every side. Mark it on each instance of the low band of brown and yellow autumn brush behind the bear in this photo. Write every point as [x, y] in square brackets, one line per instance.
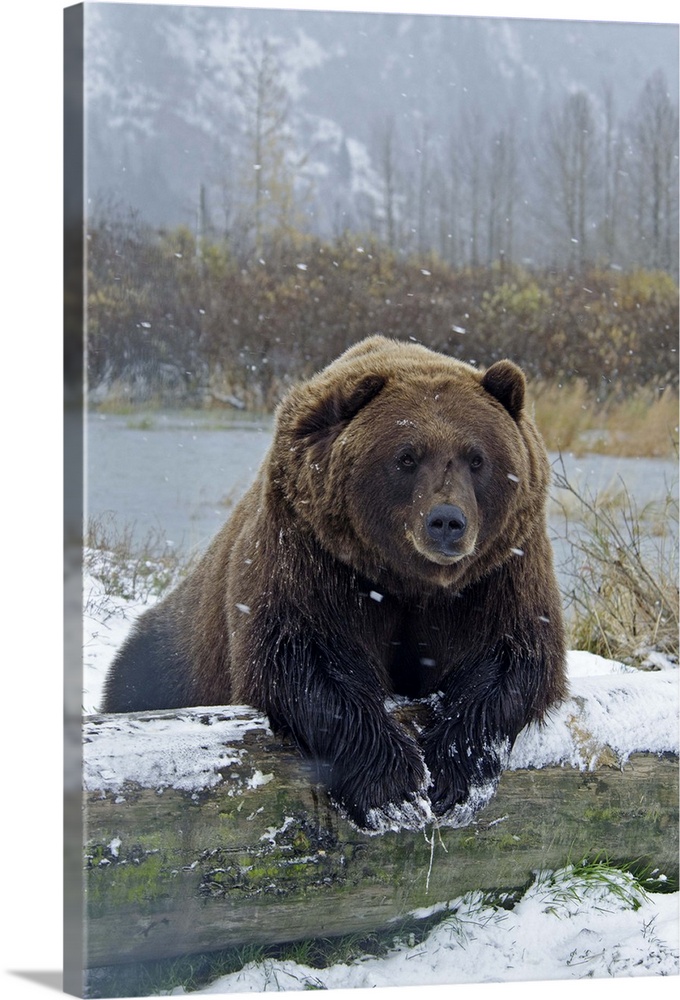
[178, 321]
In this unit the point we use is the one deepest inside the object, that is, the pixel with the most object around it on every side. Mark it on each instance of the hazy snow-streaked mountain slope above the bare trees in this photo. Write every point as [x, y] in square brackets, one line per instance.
[163, 111]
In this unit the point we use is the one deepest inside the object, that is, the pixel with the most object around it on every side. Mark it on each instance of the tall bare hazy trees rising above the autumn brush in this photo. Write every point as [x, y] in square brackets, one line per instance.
[581, 188]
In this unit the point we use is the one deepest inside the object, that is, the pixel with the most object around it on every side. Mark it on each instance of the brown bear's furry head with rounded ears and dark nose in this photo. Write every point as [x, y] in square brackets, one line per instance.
[409, 465]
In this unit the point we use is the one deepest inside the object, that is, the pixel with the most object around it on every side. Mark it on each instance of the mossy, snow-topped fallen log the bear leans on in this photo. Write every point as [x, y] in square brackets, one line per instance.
[203, 830]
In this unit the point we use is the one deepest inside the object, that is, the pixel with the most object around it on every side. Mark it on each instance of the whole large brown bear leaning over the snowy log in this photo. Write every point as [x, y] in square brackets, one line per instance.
[394, 542]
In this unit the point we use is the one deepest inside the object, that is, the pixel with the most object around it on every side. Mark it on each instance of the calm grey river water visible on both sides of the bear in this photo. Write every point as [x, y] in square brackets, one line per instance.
[177, 476]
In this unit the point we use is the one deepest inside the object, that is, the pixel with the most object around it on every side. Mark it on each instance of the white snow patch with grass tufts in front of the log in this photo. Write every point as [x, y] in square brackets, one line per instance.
[562, 928]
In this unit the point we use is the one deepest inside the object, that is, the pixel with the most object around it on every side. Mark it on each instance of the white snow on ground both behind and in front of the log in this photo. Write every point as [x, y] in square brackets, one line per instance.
[567, 925]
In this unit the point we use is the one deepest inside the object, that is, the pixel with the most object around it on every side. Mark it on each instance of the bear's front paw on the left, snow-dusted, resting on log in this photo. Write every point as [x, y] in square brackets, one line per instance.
[389, 797]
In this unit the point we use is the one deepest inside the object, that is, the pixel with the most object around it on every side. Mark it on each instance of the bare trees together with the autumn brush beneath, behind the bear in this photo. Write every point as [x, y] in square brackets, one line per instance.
[250, 299]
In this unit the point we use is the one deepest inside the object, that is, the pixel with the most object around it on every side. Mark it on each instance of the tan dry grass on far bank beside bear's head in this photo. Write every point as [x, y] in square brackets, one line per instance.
[571, 418]
